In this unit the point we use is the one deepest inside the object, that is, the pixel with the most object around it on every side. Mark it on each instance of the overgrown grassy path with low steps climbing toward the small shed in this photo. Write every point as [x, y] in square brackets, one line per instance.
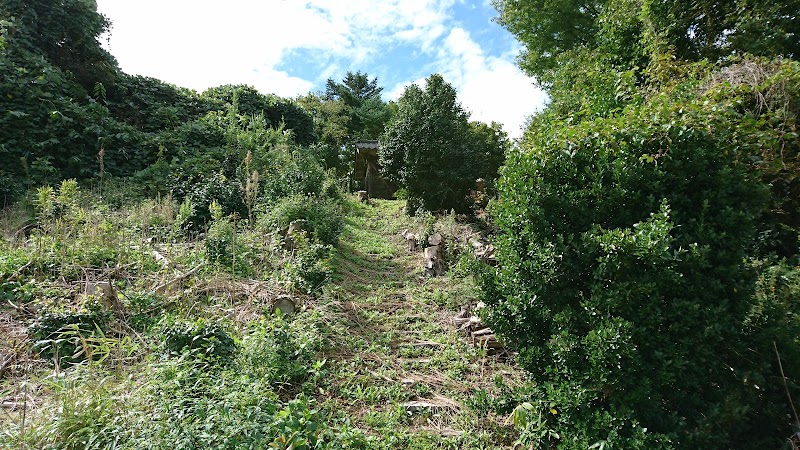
[398, 368]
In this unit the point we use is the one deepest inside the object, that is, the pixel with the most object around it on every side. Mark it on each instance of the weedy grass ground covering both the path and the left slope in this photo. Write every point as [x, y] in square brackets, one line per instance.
[335, 375]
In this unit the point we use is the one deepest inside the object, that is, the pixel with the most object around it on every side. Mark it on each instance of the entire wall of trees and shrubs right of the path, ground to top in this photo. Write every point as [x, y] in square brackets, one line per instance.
[643, 221]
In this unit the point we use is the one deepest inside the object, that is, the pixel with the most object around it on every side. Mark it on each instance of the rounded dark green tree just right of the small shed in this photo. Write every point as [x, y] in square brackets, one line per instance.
[432, 150]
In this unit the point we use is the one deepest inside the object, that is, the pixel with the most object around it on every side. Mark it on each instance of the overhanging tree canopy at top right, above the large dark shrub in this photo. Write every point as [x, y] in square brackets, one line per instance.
[628, 31]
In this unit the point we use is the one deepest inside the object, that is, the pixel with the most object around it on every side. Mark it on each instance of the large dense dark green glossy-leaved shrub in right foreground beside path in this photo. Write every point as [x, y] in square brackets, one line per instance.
[623, 280]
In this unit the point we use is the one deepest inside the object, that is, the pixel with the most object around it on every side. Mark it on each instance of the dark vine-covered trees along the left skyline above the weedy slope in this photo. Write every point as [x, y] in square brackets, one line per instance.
[69, 112]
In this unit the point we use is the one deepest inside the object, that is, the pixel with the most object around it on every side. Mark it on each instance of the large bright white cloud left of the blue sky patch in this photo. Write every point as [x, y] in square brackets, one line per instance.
[203, 44]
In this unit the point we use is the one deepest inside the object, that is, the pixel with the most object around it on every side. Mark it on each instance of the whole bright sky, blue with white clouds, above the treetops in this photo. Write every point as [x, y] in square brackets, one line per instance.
[291, 47]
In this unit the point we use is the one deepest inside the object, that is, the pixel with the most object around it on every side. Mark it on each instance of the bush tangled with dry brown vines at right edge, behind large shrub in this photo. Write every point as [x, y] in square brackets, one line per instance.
[757, 105]
